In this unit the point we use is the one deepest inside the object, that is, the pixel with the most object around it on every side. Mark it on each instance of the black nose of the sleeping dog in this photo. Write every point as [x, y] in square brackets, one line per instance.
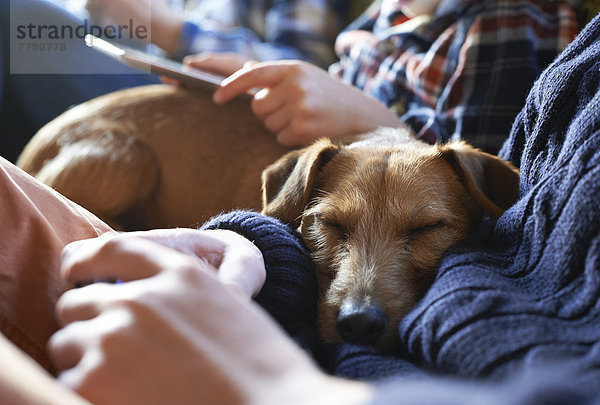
[362, 324]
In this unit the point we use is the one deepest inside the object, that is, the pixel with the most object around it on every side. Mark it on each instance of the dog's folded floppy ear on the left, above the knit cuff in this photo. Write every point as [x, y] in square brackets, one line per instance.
[287, 183]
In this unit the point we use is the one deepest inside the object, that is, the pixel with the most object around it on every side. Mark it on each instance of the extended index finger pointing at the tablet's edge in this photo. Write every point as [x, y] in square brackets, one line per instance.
[259, 75]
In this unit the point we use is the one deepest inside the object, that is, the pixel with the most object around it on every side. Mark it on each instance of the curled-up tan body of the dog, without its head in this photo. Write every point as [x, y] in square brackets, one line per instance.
[154, 156]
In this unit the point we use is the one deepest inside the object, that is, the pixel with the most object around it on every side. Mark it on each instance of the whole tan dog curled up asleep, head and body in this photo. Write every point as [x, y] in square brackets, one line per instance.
[377, 213]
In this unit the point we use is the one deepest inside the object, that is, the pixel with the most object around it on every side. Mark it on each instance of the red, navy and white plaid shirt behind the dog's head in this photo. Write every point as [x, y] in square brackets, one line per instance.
[464, 72]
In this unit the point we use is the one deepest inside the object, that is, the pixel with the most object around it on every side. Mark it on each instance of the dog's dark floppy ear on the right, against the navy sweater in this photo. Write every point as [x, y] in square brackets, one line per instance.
[492, 181]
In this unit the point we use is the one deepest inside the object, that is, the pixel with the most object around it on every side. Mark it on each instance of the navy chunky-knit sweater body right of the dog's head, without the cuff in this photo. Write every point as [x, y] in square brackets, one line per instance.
[524, 291]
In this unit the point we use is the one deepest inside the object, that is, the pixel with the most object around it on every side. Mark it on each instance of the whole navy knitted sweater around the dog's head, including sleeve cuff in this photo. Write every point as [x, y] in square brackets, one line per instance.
[520, 294]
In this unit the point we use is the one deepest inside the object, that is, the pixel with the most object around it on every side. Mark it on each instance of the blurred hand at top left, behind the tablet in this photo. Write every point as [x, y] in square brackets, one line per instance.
[162, 23]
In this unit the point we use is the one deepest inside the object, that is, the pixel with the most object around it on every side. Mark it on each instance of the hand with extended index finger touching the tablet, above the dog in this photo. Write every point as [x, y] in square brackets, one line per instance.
[300, 102]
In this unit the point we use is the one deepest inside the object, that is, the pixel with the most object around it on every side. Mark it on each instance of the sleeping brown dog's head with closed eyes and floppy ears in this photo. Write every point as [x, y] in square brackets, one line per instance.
[377, 216]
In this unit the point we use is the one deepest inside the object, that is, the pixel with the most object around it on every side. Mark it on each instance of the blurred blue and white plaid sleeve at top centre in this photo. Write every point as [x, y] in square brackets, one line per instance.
[265, 30]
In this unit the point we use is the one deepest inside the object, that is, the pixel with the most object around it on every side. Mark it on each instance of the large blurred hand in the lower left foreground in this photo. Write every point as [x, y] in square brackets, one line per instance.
[171, 332]
